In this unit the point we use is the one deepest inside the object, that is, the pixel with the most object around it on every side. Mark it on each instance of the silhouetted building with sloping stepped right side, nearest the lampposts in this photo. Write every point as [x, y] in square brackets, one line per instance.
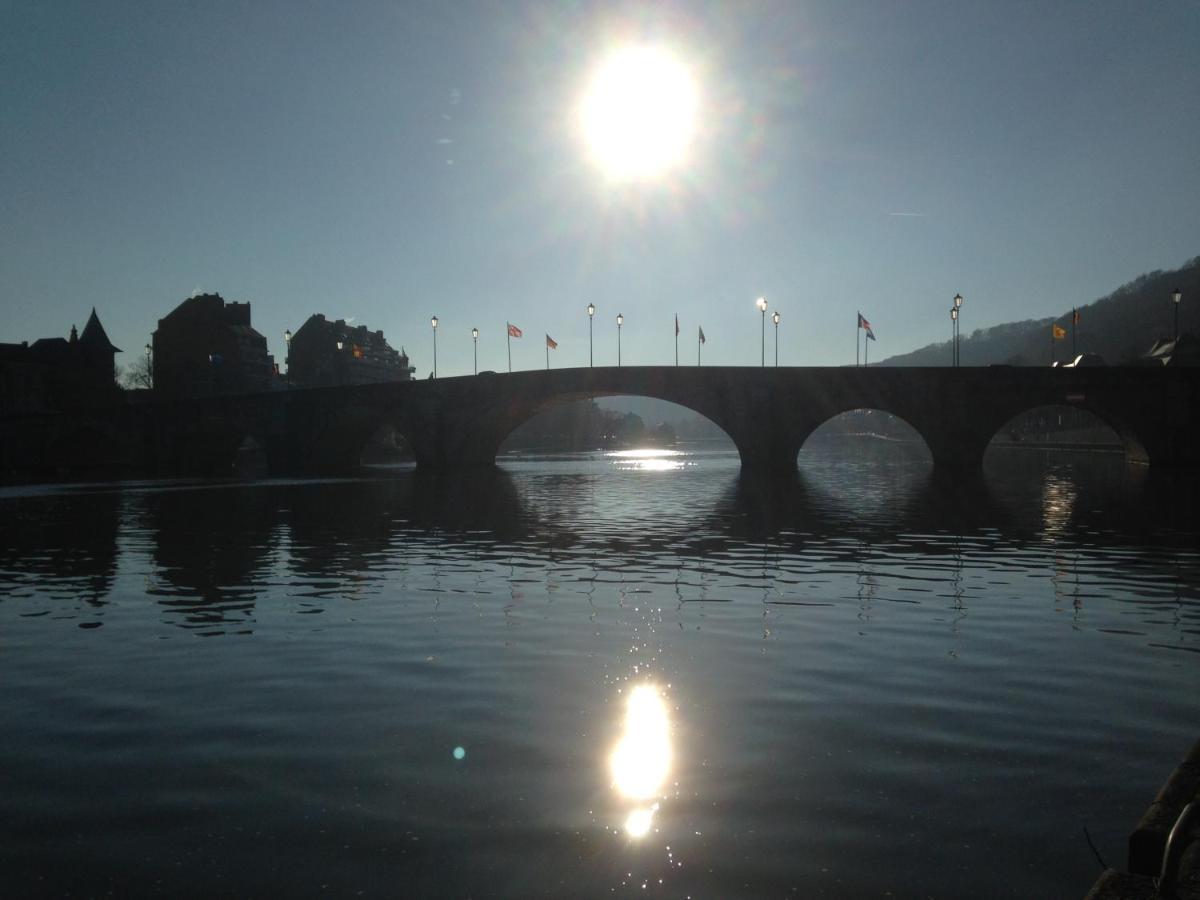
[327, 353]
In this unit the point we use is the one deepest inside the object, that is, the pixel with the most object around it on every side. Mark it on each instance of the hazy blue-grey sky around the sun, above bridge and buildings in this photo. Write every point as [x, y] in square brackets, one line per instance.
[387, 163]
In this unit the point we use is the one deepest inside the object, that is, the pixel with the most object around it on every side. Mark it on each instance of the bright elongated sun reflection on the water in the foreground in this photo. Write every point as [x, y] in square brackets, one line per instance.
[641, 760]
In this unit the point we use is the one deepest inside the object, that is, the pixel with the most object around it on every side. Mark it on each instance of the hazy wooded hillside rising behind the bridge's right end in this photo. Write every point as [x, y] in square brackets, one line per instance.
[1120, 327]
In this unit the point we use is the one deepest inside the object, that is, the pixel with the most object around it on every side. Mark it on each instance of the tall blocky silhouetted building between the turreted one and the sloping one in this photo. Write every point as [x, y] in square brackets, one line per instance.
[207, 346]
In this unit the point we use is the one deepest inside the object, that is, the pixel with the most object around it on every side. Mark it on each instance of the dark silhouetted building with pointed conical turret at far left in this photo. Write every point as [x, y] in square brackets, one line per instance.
[59, 373]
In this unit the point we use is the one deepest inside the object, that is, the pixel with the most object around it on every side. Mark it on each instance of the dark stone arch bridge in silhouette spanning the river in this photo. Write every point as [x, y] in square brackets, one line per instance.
[769, 413]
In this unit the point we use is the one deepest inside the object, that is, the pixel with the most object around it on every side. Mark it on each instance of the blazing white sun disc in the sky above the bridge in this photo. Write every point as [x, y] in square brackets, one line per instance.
[639, 113]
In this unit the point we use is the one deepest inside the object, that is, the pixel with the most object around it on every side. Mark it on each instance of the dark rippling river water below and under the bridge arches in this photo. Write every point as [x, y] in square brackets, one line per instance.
[595, 675]
